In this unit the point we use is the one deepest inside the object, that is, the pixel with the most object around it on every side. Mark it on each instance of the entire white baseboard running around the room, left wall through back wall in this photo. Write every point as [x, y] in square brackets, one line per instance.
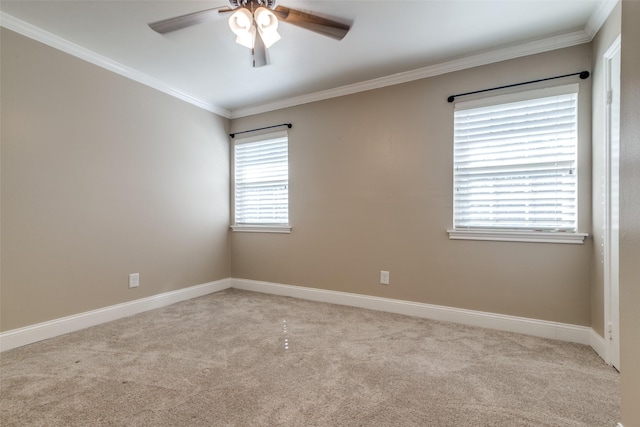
[541, 328]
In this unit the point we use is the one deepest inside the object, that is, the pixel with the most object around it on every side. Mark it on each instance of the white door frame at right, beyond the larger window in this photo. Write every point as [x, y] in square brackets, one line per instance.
[611, 212]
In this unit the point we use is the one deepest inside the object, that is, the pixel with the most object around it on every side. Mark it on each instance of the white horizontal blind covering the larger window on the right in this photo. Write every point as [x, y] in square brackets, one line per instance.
[515, 164]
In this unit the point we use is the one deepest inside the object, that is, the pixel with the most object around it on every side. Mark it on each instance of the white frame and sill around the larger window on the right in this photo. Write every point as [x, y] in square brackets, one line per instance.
[521, 234]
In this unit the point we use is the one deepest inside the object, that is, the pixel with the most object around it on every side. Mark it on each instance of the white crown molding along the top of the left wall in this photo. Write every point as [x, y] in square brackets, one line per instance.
[38, 34]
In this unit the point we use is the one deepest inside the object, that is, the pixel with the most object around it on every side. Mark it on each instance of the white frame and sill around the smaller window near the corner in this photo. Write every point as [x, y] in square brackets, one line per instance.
[257, 227]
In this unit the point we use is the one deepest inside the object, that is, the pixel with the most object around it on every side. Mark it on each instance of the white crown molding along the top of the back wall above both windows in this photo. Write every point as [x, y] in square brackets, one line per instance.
[485, 58]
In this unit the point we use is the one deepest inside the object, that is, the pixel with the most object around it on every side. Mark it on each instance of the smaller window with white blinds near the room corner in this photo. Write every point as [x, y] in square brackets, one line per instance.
[261, 183]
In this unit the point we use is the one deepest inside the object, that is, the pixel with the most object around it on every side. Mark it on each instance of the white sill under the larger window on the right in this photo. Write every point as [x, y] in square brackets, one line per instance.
[519, 236]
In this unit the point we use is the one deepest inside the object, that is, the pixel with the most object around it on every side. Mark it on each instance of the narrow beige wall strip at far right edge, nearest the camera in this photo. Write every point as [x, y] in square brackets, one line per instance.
[630, 215]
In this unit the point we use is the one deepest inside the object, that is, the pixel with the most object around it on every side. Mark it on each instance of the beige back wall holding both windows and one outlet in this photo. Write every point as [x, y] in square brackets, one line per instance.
[371, 190]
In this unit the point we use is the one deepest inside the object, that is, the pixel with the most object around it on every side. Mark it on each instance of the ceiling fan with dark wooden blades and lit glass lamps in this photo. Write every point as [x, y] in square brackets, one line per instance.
[255, 24]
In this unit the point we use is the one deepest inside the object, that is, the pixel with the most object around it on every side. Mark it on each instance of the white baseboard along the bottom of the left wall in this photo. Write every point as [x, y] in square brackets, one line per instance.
[41, 331]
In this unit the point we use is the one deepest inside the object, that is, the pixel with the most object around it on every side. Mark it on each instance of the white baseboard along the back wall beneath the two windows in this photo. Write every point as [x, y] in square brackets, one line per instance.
[539, 328]
